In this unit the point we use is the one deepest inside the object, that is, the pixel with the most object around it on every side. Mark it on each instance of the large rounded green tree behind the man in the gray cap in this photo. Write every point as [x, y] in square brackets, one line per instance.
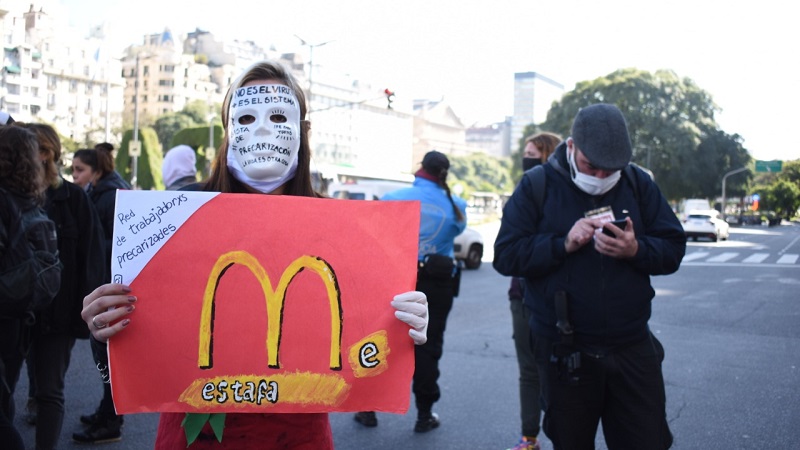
[672, 127]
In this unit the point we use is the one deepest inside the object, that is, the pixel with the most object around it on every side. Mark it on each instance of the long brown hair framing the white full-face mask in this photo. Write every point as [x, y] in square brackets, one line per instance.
[220, 179]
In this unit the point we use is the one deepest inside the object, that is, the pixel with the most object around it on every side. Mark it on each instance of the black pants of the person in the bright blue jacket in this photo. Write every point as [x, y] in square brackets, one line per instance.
[426, 357]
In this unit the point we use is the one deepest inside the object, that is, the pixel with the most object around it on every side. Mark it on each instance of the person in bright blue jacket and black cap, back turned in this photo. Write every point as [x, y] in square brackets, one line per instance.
[443, 217]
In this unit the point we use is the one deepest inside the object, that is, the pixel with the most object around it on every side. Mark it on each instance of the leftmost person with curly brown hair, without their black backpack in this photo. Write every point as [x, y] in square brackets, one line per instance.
[21, 176]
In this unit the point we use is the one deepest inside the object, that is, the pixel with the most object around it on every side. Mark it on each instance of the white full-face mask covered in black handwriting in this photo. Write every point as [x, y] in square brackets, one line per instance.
[264, 135]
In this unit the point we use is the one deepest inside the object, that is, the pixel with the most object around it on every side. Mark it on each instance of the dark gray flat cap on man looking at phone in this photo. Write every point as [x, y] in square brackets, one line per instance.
[600, 133]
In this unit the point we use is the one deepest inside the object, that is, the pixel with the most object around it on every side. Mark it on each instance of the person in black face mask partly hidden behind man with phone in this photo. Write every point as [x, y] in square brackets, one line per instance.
[538, 148]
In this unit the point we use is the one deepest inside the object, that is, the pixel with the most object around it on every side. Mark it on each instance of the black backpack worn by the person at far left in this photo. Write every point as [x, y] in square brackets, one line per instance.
[30, 271]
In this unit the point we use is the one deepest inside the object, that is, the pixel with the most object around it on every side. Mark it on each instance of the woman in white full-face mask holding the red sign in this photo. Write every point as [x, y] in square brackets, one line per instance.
[265, 150]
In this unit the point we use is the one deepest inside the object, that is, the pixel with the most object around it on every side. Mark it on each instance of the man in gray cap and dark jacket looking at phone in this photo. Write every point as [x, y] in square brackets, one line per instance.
[586, 248]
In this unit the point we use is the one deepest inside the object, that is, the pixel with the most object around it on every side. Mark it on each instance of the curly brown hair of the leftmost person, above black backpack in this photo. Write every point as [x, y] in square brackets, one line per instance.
[20, 166]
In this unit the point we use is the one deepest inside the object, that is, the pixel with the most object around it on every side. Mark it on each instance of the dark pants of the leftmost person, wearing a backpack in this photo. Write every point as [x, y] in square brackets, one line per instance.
[13, 346]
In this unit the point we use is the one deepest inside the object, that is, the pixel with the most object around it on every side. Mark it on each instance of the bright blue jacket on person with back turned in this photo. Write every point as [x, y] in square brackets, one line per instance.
[438, 225]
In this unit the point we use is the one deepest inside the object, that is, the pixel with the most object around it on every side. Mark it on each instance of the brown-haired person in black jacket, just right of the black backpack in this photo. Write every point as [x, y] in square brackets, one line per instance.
[80, 248]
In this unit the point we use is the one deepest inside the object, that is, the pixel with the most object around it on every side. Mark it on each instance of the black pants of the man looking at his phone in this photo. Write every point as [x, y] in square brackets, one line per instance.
[624, 389]
